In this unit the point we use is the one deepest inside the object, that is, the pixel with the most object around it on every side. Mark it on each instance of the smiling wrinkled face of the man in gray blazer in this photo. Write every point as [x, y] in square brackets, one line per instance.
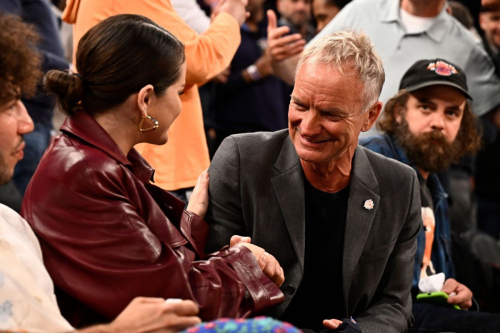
[324, 116]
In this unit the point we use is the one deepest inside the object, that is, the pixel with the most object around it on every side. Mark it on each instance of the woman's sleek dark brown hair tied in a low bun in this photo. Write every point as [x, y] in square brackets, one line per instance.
[115, 59]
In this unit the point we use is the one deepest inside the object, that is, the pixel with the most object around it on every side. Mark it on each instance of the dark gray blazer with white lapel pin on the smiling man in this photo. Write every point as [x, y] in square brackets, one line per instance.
[257, 190]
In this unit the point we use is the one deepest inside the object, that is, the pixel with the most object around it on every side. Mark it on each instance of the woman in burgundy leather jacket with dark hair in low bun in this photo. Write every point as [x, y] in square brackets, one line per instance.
[107, 233]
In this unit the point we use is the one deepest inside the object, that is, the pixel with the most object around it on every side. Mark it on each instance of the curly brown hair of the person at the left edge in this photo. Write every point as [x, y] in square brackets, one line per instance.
[20, 62]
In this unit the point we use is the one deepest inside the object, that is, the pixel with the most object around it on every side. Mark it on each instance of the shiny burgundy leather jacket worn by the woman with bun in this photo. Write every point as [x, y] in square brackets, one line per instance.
[109, 235]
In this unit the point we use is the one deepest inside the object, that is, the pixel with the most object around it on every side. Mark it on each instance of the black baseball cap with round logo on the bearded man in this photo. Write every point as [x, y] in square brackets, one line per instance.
[426, 73]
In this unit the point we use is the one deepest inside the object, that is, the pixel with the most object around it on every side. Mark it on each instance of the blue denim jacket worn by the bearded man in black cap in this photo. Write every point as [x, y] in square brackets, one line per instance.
[441, 249]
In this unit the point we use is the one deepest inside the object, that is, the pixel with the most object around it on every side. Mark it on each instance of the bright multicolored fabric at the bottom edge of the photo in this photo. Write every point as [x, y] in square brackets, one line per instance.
[255, 325]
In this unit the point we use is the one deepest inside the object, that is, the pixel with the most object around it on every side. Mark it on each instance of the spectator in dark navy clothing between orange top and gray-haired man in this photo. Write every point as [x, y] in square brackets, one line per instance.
[251, 98]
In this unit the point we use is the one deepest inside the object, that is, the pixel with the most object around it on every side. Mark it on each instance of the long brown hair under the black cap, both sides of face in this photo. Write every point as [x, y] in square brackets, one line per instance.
[468, 139]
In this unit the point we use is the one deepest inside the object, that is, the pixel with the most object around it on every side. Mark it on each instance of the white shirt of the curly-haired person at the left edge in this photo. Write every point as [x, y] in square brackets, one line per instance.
[27, 300]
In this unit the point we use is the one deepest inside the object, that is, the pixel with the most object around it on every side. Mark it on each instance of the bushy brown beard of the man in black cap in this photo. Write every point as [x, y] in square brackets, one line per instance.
[430, 151]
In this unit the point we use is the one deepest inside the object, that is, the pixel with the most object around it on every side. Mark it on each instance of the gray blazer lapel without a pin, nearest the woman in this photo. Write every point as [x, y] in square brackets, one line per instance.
[289, 190]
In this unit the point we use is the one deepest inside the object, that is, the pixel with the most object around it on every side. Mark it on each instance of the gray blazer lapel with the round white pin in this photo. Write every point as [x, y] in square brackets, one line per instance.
[363, 187]
